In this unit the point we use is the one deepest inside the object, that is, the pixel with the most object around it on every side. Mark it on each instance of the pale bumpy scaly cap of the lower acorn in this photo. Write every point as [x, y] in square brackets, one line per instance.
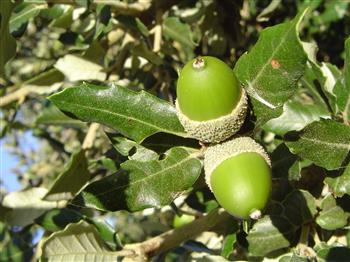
[216, 154]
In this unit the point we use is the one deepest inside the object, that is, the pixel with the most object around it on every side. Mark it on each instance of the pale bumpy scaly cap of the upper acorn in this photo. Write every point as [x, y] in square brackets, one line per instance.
[218, 129]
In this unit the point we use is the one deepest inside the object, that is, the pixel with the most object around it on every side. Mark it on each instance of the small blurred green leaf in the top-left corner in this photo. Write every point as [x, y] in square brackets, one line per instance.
[29, 11]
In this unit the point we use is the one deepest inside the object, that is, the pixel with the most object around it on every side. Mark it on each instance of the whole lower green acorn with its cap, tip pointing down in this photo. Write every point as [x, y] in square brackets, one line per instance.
[238, 172]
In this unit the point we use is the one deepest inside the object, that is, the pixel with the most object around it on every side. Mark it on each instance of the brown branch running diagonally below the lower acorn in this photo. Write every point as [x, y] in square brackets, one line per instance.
[173, 238]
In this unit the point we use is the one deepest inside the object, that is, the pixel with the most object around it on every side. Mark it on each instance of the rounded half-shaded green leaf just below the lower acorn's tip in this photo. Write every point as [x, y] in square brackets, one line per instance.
[268, 234]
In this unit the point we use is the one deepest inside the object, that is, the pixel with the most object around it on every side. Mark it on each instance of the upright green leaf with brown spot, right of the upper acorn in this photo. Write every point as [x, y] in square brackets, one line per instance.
[270, 71]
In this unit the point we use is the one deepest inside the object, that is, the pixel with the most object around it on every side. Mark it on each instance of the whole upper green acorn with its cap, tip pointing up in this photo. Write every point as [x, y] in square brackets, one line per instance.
[211, 105]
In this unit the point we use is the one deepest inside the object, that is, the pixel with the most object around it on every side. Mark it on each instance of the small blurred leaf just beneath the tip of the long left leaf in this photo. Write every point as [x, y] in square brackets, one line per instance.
[53, 116]
